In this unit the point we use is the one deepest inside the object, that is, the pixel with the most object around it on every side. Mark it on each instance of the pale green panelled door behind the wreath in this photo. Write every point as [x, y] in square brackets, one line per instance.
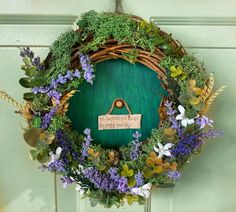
[206, 28]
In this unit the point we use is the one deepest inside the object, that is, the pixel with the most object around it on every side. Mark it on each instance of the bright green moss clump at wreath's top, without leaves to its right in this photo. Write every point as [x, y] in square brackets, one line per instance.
[103, 26]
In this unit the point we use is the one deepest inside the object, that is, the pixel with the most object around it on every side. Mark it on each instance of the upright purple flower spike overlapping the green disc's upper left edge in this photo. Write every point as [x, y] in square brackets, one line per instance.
[87, 68]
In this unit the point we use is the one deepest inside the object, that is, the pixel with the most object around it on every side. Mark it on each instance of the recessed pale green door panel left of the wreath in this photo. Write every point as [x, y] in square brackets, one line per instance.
[23, 187]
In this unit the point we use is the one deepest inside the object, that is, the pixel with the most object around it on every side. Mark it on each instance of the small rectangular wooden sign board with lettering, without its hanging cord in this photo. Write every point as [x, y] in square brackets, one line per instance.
[110, 122]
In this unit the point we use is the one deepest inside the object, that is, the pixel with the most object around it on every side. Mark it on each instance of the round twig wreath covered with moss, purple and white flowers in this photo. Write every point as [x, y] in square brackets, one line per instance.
[111, 176]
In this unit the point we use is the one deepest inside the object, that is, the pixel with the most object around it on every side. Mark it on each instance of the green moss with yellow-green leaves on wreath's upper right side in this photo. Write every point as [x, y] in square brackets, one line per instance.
[193, 70]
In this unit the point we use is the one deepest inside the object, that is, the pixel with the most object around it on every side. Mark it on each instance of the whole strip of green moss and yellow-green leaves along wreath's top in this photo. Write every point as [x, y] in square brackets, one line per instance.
[123, 28]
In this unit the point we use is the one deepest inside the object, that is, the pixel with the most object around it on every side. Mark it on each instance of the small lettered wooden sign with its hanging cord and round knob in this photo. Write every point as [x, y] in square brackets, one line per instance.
[111, 122]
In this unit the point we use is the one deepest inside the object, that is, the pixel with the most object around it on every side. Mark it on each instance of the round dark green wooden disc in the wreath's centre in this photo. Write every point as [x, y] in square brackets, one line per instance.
[135, 83]
